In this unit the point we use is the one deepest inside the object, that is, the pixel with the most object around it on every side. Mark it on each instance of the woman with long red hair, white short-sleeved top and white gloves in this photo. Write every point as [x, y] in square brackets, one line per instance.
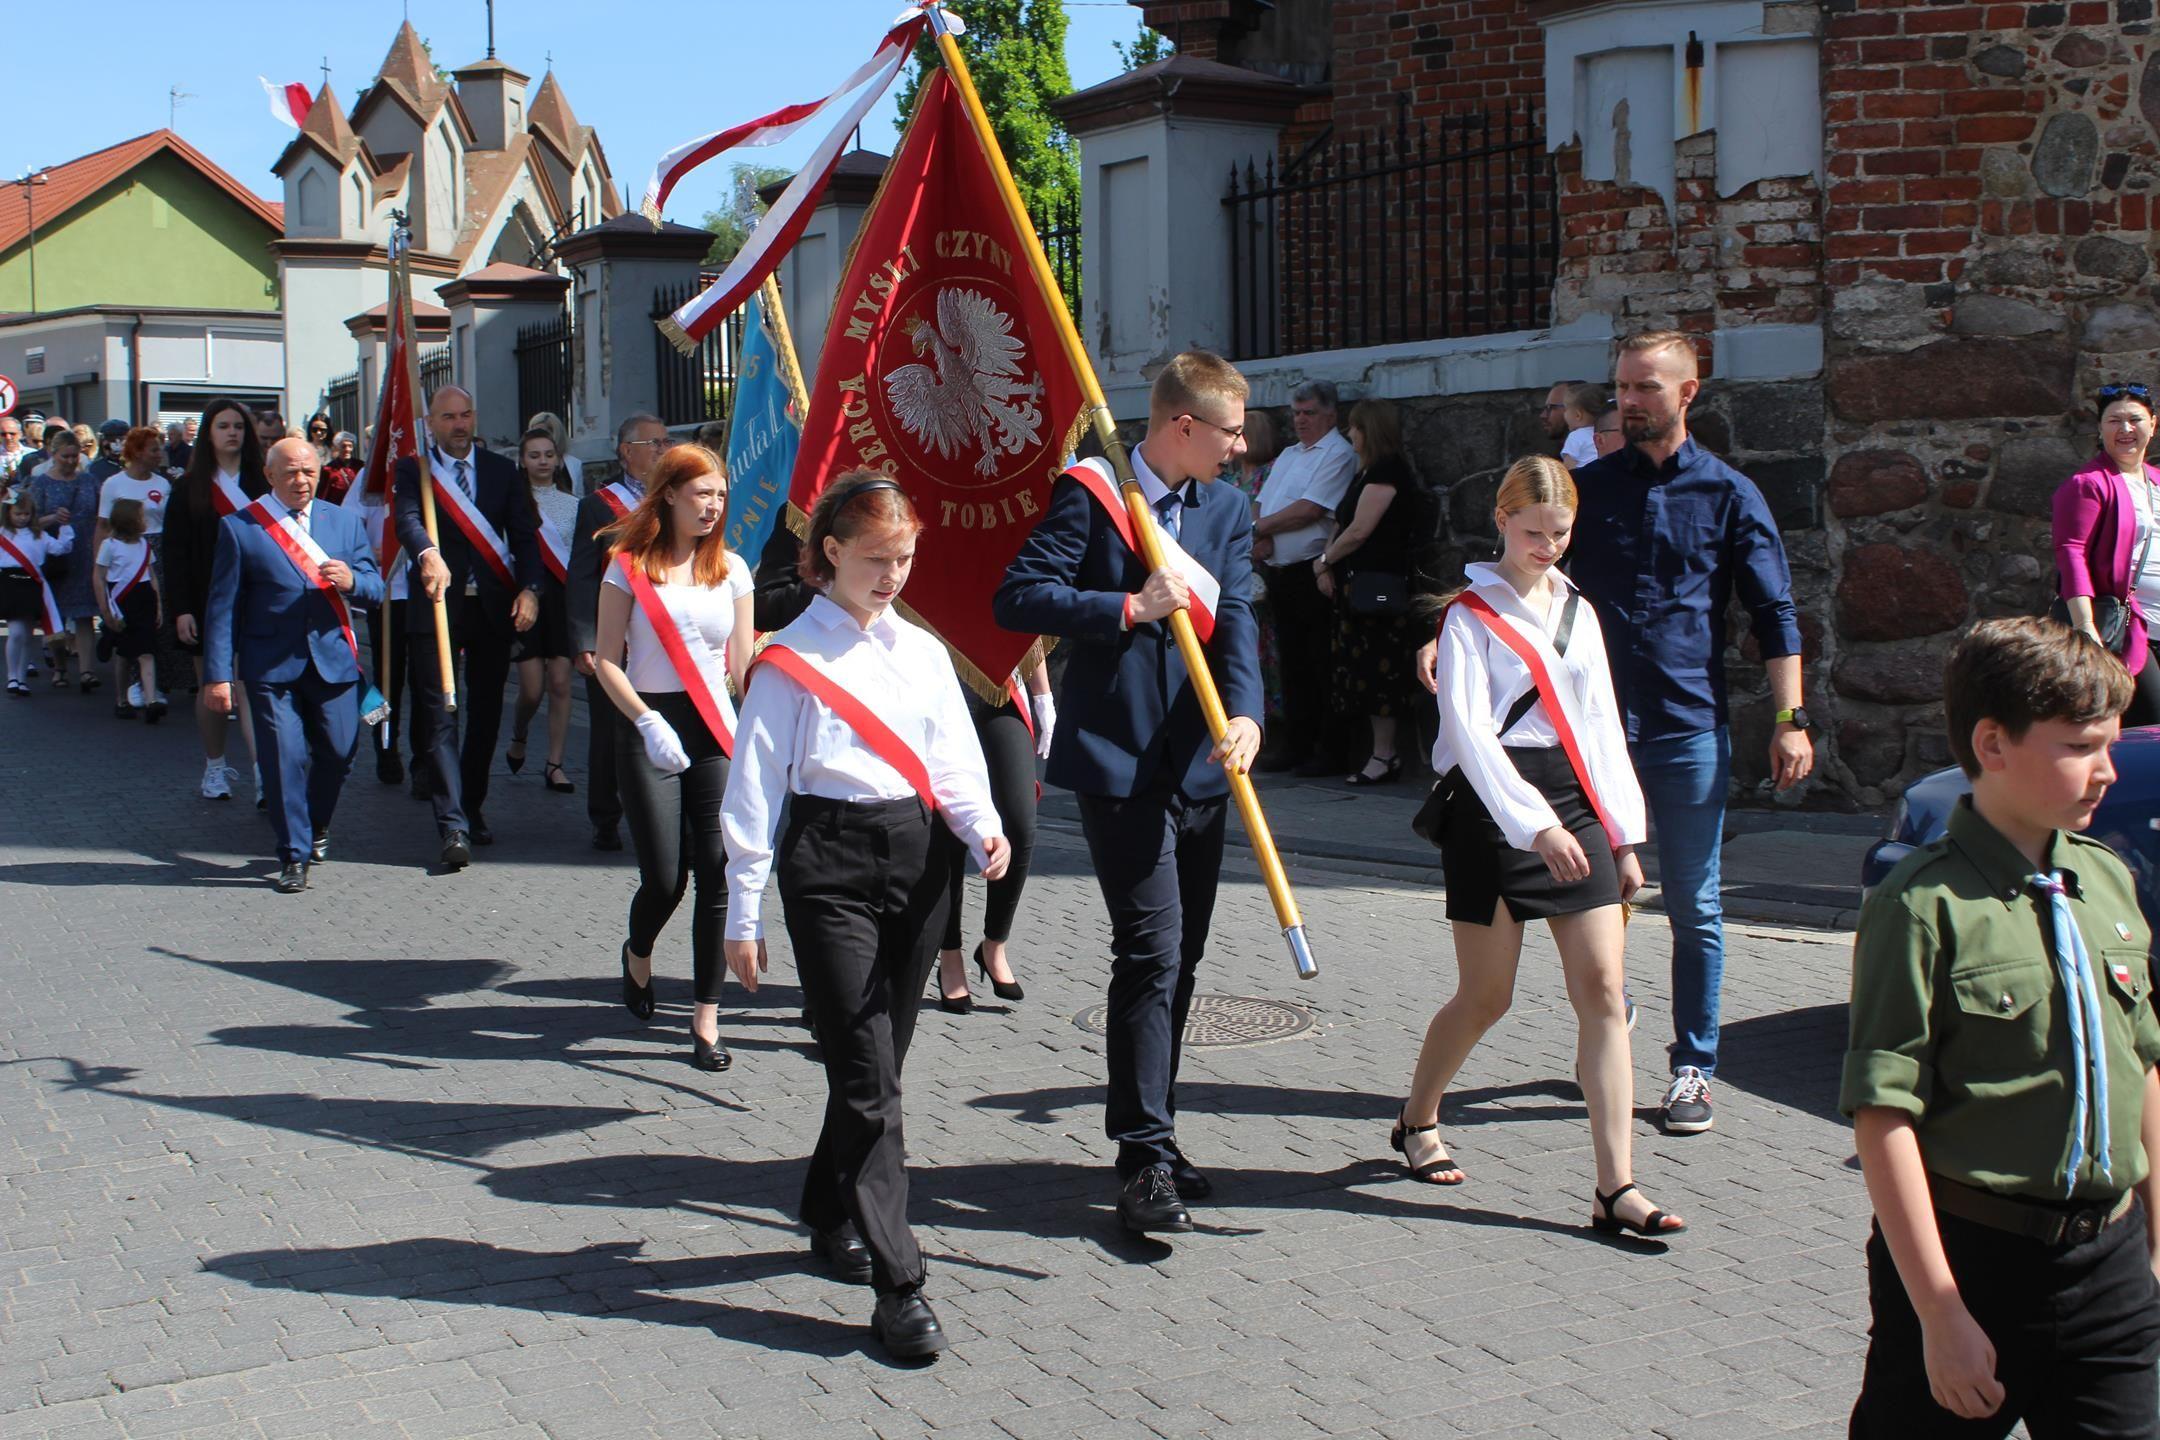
[669, 761]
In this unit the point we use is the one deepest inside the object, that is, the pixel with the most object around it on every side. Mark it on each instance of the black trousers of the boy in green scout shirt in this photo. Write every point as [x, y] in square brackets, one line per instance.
[2077, 1333]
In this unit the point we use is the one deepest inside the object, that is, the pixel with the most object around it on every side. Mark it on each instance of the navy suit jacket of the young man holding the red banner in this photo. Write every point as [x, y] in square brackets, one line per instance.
[1129, 714]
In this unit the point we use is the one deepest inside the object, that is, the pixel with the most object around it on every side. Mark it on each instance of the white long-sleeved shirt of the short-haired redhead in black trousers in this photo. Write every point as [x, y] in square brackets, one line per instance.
[789, 742]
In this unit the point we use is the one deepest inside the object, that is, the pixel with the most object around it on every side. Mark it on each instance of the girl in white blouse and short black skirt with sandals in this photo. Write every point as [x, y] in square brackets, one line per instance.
[1526, 839]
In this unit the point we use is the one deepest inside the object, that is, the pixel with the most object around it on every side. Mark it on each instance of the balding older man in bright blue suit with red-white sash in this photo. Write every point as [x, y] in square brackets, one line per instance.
[275, 629]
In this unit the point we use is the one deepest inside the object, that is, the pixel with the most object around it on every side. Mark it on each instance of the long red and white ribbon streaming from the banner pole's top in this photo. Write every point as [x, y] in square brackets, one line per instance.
[785, 223]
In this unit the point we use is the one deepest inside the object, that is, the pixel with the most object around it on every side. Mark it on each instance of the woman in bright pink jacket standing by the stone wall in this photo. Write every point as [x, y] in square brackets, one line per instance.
[2107, 539]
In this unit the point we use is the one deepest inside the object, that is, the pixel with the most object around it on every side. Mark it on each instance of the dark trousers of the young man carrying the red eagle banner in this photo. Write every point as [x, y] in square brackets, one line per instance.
[1159, 858]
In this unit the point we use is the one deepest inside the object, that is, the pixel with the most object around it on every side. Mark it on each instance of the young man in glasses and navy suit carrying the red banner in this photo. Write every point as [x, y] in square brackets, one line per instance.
[1135, 746]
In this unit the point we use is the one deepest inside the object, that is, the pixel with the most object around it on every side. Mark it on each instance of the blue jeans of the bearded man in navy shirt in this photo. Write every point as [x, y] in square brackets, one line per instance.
[1684, 780]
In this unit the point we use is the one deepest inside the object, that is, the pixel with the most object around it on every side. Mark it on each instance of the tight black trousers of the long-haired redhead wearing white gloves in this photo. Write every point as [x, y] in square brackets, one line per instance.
[675, 832]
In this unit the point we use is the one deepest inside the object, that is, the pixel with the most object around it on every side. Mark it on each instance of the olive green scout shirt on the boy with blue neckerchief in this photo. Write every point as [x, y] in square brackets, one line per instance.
[1956, 1016]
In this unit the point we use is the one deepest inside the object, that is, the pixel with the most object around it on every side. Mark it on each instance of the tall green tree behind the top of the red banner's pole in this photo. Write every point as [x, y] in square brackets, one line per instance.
[1016, 53]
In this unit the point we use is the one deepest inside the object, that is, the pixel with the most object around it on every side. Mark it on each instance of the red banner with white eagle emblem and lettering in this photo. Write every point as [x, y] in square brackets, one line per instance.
[943, 368]
